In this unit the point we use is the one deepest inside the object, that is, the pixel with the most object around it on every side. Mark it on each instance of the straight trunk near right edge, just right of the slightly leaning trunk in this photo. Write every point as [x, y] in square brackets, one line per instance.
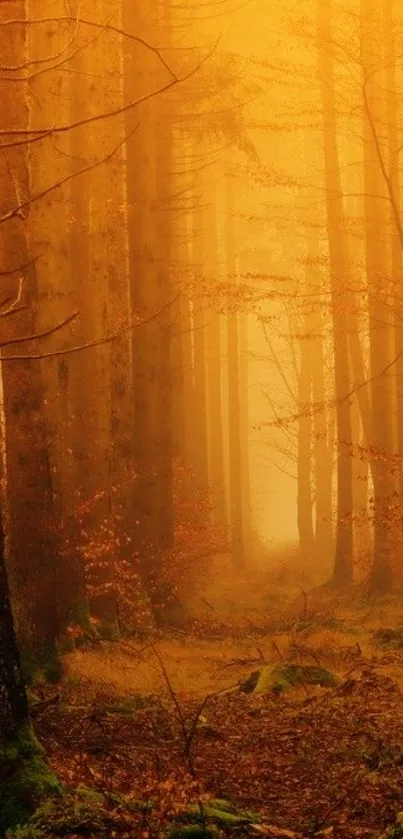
[376, 269]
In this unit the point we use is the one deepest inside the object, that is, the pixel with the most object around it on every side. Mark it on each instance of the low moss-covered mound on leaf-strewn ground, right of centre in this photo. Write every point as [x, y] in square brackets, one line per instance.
[277, 678]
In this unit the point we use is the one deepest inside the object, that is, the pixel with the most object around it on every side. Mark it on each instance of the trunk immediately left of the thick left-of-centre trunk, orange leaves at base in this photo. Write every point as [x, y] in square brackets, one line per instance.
[111, 270]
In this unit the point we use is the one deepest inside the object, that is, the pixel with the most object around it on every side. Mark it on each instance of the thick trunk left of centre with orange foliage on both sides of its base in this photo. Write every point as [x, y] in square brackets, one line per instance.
[148, 171]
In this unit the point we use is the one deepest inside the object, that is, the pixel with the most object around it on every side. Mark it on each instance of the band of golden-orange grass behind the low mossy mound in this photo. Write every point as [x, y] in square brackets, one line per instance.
[223, 652]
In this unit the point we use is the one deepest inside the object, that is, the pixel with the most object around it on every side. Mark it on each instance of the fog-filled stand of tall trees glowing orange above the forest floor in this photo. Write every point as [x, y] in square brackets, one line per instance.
[201, 258]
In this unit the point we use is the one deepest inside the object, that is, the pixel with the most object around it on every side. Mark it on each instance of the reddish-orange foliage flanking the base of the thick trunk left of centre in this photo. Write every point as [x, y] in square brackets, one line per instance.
[111, 559]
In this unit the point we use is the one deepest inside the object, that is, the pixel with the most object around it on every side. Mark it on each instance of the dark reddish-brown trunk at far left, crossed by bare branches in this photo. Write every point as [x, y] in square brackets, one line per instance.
[32, 543]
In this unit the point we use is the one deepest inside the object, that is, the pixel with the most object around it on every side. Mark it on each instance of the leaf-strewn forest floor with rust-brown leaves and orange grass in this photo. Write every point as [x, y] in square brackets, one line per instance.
[159, 728]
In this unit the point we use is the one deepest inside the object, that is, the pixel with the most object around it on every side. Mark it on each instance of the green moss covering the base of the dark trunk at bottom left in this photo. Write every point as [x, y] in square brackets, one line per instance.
[25, 778]
